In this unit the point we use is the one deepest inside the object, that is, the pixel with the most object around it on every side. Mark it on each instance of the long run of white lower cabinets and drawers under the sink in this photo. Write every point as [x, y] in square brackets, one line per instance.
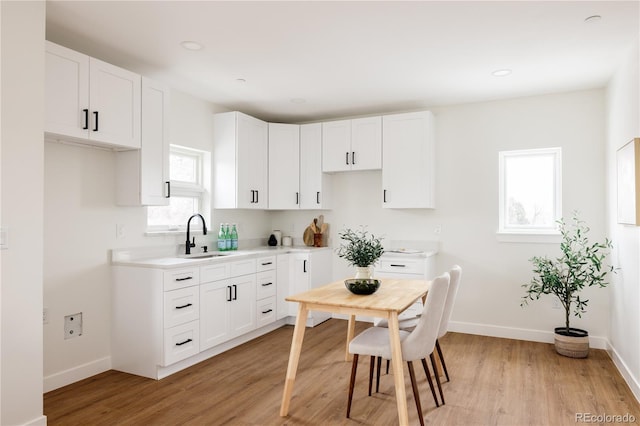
[164, 320]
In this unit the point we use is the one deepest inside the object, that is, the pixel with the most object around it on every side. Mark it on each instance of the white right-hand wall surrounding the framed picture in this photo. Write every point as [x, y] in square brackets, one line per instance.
[623, 119]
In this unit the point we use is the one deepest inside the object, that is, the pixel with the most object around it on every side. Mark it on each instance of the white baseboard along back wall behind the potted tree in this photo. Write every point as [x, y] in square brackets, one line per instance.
[596, 342]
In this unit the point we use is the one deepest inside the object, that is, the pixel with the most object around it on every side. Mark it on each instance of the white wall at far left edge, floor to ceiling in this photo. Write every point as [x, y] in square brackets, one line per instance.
[22, 35]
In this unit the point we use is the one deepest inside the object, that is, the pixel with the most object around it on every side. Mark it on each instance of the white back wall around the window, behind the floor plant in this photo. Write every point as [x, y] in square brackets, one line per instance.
[468, 140]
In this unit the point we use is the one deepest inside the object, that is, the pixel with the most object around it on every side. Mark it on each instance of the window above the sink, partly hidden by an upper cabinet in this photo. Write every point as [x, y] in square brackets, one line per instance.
[190, 176]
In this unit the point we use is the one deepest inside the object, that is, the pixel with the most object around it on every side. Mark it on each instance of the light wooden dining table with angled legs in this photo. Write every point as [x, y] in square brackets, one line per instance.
[393, 297]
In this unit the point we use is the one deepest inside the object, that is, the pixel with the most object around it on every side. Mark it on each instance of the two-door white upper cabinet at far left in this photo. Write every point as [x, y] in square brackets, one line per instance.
[90, 100]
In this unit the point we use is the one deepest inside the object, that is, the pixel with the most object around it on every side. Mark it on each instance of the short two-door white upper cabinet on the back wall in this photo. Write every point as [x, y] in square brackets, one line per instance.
[352, 144]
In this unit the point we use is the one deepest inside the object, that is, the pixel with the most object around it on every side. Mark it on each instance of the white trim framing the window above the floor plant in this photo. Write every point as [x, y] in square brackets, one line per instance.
[529, 234]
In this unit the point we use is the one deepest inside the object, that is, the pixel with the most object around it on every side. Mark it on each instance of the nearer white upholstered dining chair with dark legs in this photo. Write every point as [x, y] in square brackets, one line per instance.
[416, 345]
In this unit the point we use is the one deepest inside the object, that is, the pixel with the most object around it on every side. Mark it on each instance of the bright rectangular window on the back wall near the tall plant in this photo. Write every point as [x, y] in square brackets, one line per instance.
[530, 198]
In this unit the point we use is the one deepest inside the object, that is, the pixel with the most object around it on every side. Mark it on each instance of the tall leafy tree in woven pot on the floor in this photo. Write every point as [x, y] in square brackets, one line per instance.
[580, 265]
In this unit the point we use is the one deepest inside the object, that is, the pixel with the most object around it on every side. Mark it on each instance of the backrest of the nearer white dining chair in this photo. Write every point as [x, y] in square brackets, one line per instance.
[422, 340]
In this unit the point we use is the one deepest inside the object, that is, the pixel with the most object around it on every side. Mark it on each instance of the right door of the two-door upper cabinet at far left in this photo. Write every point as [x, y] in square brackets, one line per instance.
[114, 114]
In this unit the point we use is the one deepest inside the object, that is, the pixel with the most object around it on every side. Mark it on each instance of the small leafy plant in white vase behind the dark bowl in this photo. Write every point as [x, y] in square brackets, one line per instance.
[360, 249]
